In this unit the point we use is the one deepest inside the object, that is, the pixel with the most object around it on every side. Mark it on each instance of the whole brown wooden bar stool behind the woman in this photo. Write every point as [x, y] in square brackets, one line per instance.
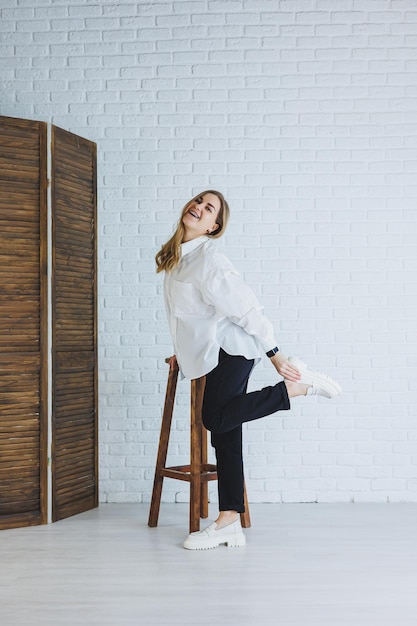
[199, 472]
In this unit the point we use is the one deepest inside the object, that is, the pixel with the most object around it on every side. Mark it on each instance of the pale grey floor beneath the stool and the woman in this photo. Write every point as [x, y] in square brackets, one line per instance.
[304, 564]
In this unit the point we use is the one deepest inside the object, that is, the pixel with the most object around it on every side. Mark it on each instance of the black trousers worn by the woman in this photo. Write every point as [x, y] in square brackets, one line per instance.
[226, 406]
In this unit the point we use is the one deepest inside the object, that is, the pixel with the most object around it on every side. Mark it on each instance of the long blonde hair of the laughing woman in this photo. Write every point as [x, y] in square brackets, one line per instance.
[170, 254]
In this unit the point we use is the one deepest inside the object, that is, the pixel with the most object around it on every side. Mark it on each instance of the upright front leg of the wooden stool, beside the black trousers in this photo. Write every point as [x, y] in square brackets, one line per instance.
[197, 390]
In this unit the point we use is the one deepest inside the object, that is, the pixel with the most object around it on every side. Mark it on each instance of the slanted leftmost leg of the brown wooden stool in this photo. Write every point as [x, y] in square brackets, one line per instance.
[163, 447]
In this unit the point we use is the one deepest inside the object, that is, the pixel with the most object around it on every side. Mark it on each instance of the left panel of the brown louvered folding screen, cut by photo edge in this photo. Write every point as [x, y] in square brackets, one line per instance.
[23, 429]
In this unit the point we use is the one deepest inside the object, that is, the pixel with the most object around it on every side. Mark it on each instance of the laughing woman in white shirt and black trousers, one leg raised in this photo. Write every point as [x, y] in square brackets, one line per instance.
[219, 331]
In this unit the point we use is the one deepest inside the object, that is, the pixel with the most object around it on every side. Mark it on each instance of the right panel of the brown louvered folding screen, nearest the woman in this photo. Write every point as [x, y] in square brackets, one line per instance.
[74, 425]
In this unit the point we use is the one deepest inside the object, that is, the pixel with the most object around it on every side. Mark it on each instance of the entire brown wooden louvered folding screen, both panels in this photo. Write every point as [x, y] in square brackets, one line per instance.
[45, 416]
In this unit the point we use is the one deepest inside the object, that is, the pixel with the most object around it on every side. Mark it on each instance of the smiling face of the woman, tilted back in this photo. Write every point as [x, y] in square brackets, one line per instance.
[199, 217]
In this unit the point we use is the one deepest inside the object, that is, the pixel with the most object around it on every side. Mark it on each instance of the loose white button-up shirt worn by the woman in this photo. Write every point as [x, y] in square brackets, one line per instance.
[210, 307]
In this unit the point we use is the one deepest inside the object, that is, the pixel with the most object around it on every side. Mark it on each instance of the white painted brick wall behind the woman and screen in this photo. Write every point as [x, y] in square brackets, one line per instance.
[303, 112]
